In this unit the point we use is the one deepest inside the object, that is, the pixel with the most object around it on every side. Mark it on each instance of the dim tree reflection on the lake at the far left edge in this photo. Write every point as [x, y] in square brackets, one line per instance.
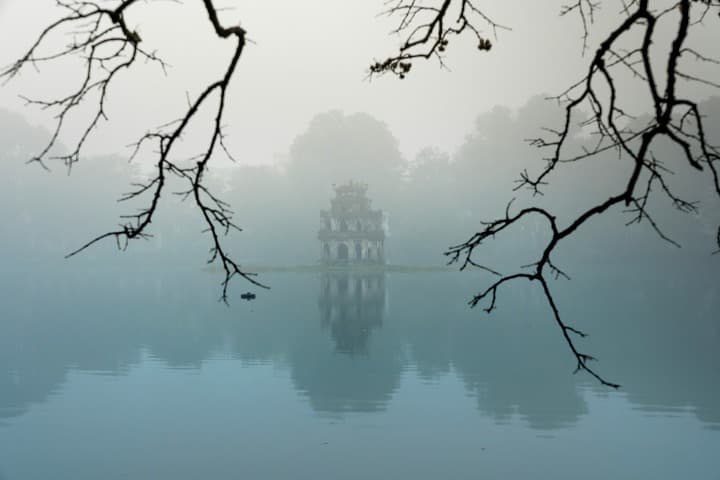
[41, 341]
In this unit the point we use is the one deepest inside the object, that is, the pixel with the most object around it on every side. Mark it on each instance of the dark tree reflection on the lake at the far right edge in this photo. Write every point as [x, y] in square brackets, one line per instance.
[667, 355]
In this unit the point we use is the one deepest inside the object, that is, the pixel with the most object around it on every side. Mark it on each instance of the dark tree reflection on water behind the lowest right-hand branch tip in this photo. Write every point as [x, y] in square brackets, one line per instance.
[494, 357]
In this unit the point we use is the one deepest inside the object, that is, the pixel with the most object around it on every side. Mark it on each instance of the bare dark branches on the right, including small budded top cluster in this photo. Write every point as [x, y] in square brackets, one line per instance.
[674, 118]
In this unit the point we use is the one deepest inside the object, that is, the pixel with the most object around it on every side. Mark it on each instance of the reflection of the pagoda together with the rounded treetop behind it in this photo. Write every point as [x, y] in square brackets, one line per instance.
[351, 306]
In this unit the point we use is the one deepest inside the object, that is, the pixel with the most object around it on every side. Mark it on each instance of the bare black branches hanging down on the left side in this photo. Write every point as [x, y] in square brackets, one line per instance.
[107, 45]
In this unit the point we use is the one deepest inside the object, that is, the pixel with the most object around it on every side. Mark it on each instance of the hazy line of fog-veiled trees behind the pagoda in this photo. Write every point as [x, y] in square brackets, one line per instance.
[437, 196]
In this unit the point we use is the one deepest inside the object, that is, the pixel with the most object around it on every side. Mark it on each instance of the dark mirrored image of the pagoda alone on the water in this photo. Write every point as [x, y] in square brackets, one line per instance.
[352, 305]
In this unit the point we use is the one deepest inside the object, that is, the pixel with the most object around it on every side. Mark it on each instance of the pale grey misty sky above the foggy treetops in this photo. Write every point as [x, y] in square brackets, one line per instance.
[310, 57]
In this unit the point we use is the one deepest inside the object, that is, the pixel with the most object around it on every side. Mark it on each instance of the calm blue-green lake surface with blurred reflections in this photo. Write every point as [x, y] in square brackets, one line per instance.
[142, 375]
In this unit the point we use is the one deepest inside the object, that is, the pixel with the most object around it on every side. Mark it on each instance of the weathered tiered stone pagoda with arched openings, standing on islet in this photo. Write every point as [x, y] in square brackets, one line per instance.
[350, 231]
